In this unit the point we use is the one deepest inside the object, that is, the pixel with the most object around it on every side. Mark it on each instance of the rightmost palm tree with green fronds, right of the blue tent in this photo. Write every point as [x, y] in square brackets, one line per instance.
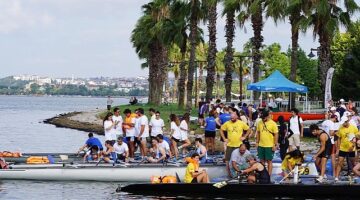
[325, 19]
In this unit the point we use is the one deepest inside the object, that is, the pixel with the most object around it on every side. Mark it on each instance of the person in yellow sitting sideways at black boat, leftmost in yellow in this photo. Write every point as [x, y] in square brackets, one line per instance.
[193, 174]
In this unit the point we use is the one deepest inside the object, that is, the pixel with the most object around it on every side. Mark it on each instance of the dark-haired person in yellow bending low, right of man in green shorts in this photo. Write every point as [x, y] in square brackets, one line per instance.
[292, 158]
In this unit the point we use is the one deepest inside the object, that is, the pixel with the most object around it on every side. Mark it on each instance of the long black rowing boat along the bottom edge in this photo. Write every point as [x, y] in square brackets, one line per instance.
[243, 190]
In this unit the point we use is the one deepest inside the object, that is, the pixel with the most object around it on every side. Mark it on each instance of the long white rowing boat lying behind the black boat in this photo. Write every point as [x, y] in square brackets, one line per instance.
[117, 173]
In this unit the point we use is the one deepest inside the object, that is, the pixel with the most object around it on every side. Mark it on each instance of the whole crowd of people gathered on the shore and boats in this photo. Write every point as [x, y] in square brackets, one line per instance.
[233, 125]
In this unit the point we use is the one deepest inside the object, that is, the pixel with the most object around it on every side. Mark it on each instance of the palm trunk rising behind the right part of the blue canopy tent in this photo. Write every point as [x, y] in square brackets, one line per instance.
[294, 51]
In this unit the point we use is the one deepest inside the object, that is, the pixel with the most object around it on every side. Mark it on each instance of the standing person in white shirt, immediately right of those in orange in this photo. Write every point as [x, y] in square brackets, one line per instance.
[142, 131]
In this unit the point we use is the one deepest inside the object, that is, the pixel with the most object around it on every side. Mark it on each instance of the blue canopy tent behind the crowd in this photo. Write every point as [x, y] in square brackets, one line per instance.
[277, 82]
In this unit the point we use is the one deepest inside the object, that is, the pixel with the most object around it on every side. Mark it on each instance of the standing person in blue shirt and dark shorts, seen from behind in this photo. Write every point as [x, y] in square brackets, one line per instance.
[210, 131]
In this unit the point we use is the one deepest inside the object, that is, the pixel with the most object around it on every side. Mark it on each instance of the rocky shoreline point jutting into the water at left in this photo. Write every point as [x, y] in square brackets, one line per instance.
[83, 121]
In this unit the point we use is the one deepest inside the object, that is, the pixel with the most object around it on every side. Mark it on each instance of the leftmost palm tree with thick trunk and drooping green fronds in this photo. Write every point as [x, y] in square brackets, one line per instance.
[148, 40]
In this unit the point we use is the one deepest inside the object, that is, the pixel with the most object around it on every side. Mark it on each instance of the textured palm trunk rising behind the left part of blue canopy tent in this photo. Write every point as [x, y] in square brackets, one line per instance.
[257, 25]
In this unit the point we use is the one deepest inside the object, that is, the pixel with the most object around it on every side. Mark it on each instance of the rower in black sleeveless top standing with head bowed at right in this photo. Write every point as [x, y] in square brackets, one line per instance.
[324, 152]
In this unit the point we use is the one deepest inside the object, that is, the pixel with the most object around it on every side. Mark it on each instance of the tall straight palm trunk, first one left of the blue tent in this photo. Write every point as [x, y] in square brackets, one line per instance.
[230, 31]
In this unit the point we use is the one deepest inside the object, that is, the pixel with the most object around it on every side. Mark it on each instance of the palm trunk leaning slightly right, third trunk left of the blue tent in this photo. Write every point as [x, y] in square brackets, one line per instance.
[193, 43]
